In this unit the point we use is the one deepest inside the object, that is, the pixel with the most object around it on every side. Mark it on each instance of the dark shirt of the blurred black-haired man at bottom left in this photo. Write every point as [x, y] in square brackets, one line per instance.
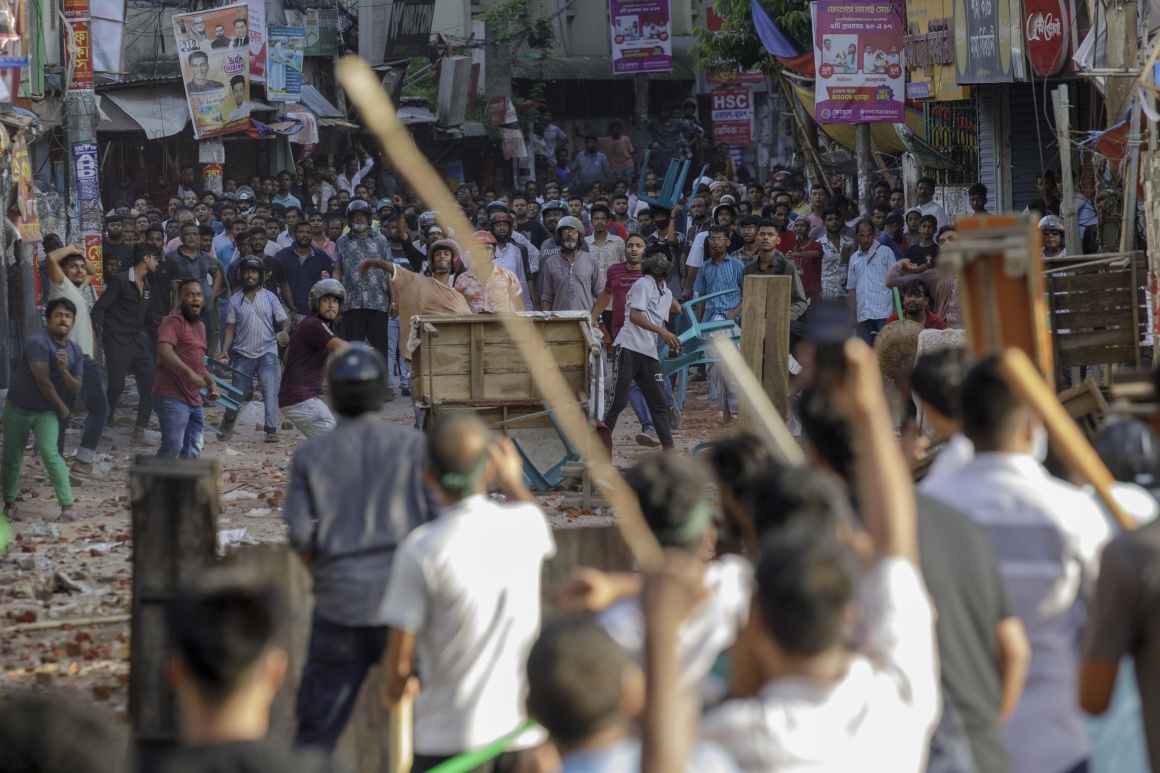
[243, 757]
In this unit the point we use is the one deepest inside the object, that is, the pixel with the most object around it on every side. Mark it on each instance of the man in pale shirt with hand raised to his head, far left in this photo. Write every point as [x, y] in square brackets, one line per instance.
[71, 277]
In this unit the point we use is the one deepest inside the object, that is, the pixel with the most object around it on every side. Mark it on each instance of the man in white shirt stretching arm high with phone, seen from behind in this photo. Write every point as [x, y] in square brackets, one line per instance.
[829, 706]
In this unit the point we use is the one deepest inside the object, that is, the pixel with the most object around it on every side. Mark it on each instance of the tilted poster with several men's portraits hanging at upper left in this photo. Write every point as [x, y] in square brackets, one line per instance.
[214, 52]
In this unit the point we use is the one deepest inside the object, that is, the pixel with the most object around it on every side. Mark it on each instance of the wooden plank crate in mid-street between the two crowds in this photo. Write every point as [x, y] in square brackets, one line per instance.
[474, 360]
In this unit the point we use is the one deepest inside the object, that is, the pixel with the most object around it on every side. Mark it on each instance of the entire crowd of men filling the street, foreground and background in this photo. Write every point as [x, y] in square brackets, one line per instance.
[966, 625]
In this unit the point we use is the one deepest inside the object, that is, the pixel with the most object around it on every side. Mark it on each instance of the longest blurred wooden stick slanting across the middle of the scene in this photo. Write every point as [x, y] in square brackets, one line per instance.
[380, 117]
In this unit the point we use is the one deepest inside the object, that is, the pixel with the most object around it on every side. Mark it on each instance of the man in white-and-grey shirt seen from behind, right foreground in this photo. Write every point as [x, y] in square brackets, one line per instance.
[1048, 536]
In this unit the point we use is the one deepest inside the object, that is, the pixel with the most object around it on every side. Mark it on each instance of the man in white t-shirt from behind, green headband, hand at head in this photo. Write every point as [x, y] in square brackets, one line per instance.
[463, 602]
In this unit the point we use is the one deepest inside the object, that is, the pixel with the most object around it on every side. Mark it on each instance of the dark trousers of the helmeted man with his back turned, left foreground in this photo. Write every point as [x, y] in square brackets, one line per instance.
[337, 663]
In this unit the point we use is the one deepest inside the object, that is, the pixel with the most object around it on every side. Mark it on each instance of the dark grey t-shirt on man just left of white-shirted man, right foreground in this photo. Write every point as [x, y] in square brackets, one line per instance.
[962, 575]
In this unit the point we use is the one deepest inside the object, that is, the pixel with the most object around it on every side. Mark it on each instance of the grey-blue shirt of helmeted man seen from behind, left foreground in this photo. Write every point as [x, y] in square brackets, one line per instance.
[356, 494]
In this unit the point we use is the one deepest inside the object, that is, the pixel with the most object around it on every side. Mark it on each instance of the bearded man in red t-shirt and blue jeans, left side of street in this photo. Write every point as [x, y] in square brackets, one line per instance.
[182, 374]
